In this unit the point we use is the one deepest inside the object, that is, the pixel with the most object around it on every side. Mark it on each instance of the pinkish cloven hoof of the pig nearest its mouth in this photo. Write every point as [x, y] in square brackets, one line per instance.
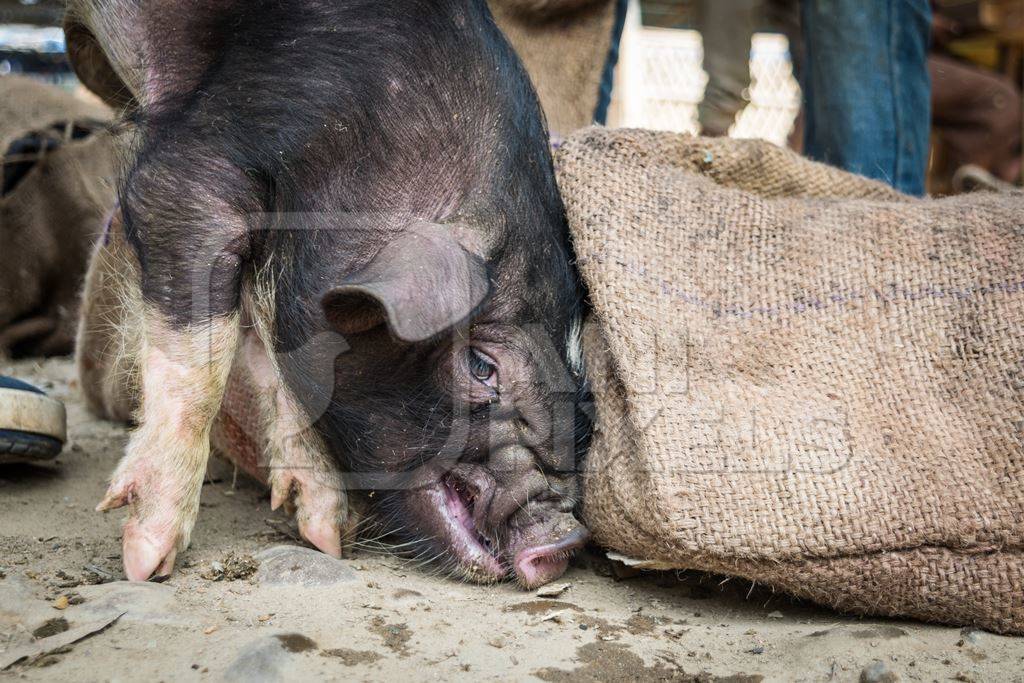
[321, 509]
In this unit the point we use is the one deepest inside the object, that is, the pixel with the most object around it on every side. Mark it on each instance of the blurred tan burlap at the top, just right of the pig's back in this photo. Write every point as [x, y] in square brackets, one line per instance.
[565, 46]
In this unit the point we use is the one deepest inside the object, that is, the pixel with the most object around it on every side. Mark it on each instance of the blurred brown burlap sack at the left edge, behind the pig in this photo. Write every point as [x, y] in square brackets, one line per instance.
[58, 165]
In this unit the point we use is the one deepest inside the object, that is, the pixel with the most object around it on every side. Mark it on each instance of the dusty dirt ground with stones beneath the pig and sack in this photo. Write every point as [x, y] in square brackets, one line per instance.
[248, 603]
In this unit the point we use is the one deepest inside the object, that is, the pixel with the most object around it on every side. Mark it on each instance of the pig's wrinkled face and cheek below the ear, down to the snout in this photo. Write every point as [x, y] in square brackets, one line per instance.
[478, 463]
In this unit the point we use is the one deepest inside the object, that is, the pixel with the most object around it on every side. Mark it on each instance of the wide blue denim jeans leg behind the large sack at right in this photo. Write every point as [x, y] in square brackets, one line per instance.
[867, 90]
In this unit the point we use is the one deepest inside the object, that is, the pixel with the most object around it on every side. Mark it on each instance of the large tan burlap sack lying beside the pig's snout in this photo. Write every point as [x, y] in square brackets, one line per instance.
[802, 377]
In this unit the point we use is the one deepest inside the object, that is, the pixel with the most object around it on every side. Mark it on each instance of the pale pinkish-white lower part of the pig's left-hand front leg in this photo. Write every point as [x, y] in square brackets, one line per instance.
[184, 370]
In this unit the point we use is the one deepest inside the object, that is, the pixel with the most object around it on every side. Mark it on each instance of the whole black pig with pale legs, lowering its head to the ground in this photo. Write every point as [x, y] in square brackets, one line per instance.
[340, 254]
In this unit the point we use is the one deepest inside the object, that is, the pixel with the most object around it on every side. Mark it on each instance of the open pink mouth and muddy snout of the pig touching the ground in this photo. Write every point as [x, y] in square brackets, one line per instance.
[534, 545]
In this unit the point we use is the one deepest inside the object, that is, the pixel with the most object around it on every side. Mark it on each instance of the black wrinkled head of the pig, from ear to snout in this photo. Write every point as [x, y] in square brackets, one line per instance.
[456, 399]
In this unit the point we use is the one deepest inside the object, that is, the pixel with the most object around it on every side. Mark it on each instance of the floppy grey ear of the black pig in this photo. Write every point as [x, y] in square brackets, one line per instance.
[421, 285]
